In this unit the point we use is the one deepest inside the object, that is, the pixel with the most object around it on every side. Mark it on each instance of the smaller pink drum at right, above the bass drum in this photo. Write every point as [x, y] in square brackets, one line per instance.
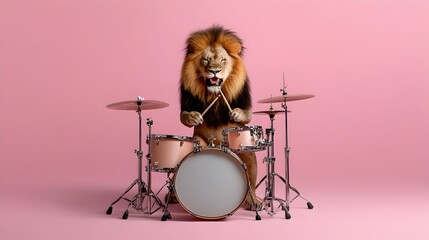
[244, 139]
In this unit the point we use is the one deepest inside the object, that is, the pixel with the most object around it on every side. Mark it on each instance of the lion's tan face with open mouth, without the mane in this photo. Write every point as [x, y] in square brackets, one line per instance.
[216, 66]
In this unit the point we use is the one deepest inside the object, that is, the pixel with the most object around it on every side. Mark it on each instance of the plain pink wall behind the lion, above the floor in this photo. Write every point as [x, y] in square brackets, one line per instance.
[62, 62]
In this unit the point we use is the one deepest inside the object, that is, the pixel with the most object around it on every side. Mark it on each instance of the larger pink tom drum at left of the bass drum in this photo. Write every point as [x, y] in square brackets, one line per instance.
[168, 150]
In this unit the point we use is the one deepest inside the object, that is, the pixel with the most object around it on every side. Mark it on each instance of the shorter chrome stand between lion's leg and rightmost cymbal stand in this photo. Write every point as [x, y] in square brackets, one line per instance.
[269, 178]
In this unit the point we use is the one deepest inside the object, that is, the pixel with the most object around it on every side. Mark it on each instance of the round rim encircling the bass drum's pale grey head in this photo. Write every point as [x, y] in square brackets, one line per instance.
[209, 148]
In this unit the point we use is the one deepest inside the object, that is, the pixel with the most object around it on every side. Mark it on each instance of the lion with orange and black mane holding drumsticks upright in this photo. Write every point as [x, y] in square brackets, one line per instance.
[213, 63]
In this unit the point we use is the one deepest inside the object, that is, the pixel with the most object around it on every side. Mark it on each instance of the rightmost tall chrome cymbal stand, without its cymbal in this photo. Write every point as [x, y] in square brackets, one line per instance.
[287, 155]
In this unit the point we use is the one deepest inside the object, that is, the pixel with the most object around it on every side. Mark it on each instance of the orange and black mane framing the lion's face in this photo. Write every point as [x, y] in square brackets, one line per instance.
[194, 94]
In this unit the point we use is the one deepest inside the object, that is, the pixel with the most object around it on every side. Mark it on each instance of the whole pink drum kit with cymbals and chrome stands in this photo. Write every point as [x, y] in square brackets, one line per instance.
[209, 182]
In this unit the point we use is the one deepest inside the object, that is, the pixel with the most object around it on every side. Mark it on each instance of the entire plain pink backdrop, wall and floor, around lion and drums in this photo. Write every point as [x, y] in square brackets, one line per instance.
[359, 149]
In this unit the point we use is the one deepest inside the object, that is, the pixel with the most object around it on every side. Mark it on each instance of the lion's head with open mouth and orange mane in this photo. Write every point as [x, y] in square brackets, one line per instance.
[213, 60]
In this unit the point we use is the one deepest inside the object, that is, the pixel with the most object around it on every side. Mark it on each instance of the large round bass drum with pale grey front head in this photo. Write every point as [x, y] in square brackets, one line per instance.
[211, 183]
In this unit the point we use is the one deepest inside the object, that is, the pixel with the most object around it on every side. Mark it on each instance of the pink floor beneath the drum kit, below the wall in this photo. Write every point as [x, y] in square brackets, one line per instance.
[78, 212]
